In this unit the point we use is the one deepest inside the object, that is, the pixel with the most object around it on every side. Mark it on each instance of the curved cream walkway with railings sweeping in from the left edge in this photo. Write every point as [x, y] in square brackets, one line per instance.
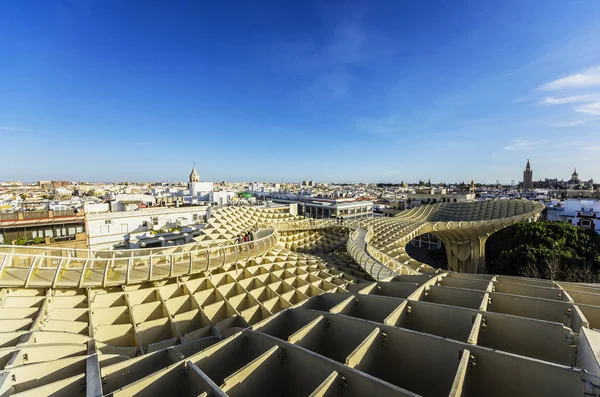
[27, 269]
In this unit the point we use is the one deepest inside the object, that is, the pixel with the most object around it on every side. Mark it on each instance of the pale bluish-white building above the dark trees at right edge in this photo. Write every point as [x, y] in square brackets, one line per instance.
[582, 213]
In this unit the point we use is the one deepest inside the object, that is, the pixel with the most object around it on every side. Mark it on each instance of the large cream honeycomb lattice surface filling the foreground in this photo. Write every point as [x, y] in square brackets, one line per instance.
[301, 317]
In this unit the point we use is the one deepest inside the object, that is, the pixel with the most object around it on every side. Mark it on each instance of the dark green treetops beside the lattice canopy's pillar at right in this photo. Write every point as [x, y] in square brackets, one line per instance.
[533, 248]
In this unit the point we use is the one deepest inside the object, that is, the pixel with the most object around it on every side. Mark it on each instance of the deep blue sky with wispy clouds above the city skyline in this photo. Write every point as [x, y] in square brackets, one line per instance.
[374, 91]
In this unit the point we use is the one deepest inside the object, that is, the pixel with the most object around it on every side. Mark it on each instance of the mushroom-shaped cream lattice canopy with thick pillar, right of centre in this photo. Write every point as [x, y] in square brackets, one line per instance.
[463, 227]
